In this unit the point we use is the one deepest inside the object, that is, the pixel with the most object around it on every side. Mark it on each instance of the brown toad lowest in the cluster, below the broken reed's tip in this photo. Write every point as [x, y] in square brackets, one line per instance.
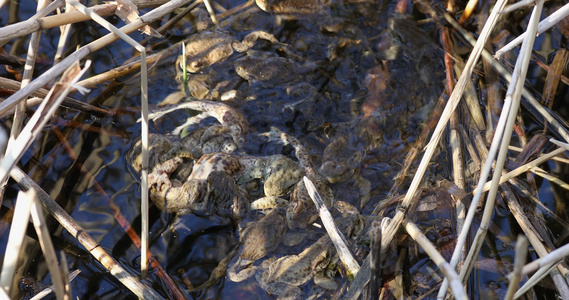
[287, 273]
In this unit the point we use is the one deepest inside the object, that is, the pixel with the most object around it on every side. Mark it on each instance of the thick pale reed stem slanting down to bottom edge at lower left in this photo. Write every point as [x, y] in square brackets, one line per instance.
[114, 268]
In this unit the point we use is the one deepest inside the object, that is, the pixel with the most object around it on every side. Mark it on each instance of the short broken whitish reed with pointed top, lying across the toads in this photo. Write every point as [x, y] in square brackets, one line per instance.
[337, 238]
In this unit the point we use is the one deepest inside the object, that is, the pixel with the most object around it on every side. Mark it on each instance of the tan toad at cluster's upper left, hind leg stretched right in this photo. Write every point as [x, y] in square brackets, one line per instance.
[209, 47]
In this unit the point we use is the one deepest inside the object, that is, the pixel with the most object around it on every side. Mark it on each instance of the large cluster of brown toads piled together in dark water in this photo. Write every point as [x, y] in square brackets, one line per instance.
[302, 86]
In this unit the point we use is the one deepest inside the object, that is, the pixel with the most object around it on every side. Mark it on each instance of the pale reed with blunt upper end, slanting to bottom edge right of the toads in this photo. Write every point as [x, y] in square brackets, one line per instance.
[449, 272]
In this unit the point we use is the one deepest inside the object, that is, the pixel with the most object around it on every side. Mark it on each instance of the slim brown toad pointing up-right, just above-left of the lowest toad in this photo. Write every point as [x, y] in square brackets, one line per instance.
[256, 241]
